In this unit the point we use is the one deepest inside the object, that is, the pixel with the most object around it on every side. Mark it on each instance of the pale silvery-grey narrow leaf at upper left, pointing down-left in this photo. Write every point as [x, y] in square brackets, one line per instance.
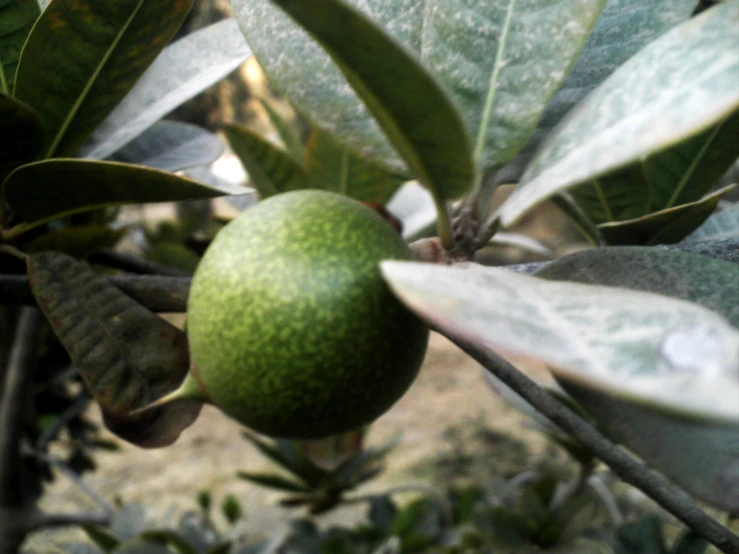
[184, 69]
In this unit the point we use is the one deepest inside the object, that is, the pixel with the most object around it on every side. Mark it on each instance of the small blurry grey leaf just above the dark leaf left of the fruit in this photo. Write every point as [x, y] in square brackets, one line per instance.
[171, 146]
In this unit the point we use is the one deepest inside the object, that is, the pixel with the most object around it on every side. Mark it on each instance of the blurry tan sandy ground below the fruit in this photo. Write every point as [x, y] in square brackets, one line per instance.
[452, 426]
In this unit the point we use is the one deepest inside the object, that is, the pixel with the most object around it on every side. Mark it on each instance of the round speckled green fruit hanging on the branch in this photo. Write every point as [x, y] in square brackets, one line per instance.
[293, 332]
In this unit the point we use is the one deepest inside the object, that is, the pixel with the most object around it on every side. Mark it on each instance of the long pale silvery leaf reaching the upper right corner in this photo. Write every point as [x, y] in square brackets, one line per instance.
[676, 88]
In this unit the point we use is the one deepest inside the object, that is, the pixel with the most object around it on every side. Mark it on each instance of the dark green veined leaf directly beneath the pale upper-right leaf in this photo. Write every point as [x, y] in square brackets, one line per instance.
[677, 176]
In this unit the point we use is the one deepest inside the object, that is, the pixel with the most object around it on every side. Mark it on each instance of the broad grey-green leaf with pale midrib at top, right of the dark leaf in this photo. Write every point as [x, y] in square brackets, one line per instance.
[503, 61]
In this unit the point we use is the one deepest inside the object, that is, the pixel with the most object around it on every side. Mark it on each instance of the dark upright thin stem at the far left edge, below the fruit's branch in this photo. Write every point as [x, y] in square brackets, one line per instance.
[12, 408]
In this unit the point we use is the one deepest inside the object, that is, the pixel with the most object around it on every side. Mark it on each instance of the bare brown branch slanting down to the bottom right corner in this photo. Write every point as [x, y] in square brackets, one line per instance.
[628, 468]
